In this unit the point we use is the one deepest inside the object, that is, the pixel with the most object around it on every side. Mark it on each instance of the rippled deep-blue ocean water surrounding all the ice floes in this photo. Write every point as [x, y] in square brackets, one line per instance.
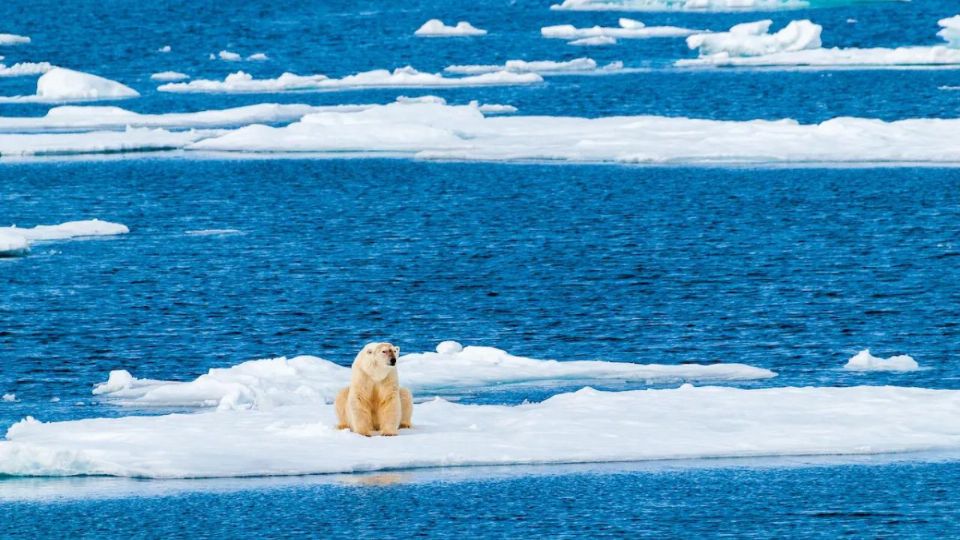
[793, 269]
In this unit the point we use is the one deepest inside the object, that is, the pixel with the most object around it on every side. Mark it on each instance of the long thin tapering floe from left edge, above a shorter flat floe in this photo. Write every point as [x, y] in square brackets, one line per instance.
[72, 117]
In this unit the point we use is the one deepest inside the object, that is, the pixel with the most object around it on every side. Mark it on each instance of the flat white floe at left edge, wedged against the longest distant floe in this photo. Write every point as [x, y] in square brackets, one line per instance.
[96, 142]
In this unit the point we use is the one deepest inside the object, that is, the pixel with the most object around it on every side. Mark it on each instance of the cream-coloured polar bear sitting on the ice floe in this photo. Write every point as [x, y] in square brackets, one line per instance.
[374, 401]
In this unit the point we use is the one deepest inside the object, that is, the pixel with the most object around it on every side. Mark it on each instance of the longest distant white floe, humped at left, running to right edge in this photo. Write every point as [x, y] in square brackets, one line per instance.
[440, 131]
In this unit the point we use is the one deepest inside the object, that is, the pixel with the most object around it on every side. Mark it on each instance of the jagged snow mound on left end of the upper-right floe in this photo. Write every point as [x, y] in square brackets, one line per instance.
[754, 39]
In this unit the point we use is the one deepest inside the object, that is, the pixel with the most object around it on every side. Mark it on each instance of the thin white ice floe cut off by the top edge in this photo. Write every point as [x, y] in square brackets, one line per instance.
[699, 5]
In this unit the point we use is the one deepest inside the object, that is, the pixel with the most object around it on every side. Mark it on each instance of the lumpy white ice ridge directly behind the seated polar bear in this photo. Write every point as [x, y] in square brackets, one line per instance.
[265, 384]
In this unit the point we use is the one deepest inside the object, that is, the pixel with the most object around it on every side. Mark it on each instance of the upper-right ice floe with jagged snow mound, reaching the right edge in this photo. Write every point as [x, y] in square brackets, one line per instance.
[799, 44]
